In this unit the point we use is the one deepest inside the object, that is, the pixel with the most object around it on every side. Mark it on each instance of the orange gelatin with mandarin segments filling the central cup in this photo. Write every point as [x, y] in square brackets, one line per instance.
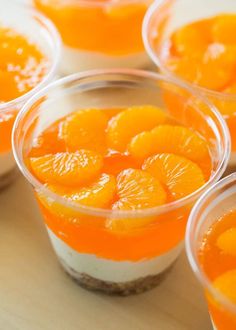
[94, 166]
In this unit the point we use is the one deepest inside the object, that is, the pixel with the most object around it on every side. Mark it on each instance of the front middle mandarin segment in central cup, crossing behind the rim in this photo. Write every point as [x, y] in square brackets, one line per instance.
[136, 190]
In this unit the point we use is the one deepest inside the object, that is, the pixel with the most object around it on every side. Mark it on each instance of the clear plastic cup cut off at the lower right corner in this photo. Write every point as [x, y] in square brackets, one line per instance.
[214, 203]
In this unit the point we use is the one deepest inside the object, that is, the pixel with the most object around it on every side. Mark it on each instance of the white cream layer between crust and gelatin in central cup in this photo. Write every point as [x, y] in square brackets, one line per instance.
[108, 270]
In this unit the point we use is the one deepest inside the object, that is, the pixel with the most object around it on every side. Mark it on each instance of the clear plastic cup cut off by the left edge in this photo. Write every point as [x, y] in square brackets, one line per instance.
[42, 33]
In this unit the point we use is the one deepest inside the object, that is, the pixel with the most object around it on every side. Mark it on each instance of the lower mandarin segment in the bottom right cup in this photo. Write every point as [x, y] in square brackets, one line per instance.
[226, 284]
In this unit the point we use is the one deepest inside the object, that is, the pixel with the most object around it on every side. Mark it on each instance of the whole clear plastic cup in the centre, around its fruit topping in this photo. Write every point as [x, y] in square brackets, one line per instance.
[97, 257]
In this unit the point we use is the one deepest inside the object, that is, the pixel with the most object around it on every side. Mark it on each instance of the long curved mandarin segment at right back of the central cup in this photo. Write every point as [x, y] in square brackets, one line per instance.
[169, 139]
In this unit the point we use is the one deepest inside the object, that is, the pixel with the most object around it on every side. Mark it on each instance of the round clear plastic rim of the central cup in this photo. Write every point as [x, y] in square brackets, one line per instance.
[106, 212]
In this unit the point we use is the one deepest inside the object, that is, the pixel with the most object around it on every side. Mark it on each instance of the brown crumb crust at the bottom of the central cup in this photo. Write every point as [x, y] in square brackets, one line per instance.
[122, 289]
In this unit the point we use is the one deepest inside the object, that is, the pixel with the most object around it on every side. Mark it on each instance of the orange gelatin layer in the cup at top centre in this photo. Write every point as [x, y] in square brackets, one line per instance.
[101, 26]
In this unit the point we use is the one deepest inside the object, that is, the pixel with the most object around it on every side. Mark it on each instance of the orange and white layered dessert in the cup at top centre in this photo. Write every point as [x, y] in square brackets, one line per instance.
[98, 34]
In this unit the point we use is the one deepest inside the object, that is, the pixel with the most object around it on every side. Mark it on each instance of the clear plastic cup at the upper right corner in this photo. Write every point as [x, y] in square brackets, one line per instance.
[162, 19]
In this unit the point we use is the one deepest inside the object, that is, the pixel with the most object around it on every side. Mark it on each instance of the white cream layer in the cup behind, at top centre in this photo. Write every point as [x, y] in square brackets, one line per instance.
[74, 60]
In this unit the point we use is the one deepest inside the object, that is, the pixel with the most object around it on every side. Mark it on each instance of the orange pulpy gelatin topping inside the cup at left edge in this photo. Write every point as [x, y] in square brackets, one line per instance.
[22, 67]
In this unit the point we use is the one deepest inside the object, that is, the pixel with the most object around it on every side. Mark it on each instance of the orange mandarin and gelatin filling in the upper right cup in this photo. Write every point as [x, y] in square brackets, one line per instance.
[204, 53]
